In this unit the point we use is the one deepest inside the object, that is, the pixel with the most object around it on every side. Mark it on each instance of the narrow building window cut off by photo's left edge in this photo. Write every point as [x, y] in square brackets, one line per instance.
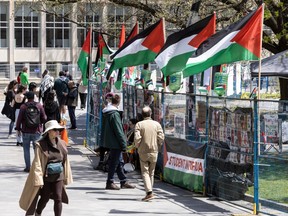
[3, 24]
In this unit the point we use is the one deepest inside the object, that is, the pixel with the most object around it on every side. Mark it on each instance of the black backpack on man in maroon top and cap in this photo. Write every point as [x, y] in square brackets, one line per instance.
[32, 115]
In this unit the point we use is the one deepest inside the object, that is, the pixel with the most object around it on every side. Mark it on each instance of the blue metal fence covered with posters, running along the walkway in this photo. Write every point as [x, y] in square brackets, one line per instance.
[242, 160]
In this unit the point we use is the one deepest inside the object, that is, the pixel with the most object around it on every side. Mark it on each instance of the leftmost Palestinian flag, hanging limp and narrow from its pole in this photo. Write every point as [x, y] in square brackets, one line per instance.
[83, 60]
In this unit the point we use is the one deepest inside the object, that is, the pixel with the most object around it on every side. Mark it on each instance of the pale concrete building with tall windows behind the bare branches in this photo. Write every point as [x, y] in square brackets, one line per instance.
[32, 35]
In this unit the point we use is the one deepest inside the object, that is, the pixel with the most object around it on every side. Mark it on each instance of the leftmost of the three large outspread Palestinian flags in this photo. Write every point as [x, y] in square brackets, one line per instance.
[141, 49]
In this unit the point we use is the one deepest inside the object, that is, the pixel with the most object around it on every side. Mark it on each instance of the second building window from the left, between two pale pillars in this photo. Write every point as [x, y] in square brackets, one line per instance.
[26, 26]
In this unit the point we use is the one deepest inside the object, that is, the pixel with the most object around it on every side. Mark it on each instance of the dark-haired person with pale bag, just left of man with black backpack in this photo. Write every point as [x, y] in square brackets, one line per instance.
[19, 99]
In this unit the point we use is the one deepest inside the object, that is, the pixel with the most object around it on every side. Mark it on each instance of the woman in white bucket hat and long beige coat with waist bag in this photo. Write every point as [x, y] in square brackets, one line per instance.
[50, 172]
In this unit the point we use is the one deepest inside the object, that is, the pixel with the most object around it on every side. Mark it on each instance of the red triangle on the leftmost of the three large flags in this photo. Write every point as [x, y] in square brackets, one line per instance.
[155, 40]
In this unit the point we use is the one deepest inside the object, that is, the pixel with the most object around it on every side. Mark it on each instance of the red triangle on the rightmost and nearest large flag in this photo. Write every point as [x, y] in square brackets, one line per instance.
[250, 35]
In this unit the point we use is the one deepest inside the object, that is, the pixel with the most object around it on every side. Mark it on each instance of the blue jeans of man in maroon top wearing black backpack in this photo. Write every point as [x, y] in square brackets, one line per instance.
[27, 138]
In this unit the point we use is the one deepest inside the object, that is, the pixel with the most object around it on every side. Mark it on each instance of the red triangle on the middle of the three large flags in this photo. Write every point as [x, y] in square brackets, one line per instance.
[209, 30]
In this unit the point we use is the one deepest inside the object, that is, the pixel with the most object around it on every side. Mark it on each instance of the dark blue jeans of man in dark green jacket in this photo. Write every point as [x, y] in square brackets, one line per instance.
[116, 163]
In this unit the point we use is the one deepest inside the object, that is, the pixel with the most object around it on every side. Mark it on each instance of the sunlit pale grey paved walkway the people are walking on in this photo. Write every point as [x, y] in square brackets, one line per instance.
[87, 195]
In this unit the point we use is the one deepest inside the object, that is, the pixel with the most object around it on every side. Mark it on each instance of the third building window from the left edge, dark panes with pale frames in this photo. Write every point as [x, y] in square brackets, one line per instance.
[58, 29]
